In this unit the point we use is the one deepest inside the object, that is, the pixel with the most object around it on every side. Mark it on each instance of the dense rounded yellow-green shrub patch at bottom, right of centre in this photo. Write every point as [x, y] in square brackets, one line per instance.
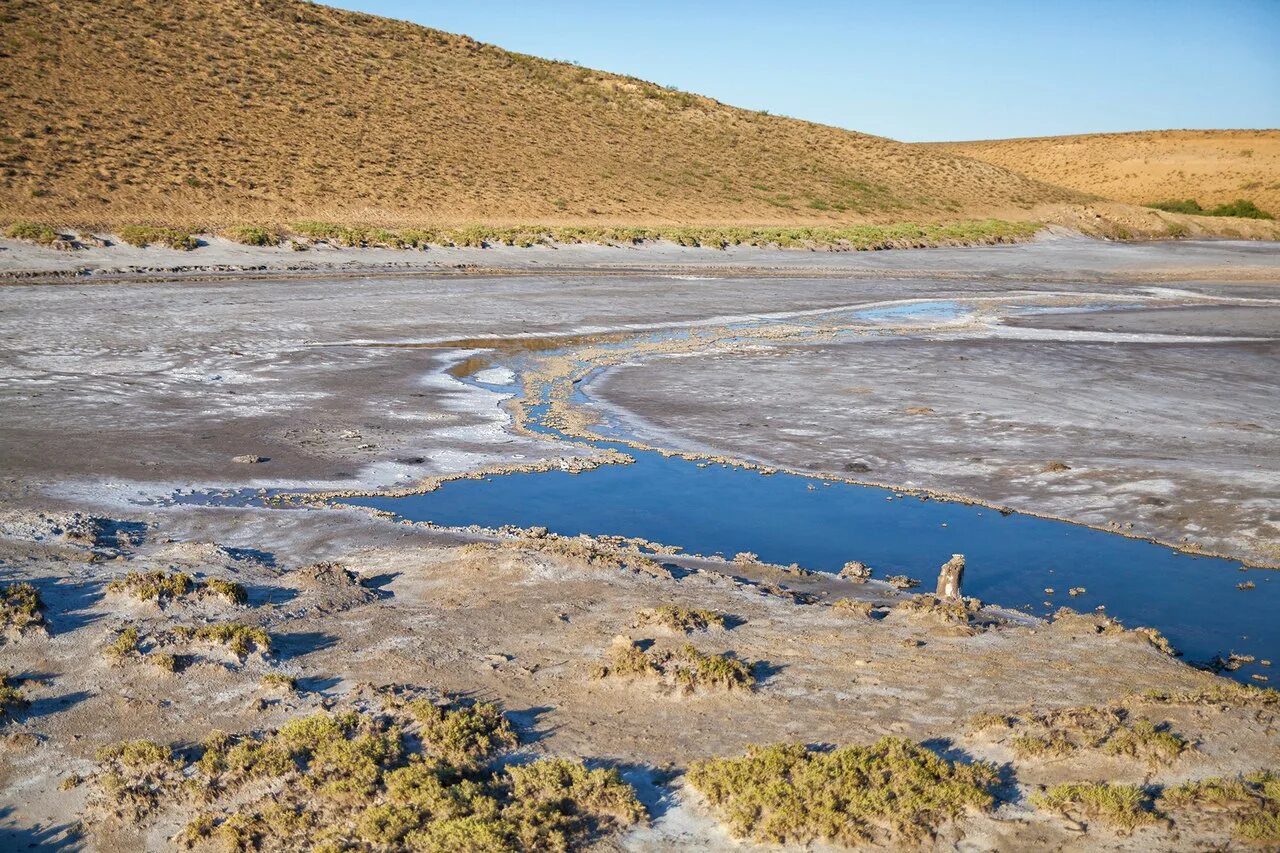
[794, 795]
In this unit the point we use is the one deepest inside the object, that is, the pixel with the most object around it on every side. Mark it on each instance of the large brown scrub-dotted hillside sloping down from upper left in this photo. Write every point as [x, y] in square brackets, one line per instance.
[213, 112]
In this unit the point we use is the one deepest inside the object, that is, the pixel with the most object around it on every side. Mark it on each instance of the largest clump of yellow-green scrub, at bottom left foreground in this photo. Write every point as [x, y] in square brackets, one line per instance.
[363, 781]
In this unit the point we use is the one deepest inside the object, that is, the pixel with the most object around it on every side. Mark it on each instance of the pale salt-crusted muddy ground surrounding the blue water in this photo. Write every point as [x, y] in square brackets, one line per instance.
[161, 386]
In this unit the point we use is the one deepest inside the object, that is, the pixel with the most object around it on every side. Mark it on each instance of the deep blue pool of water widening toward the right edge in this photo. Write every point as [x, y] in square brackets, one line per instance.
[1012, 559]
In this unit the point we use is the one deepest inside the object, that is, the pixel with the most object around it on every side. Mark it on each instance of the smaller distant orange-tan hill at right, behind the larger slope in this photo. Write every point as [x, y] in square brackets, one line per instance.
[1212, 167]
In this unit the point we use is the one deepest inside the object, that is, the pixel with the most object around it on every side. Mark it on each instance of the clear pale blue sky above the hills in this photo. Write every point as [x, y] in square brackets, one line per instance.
[917, 71]
